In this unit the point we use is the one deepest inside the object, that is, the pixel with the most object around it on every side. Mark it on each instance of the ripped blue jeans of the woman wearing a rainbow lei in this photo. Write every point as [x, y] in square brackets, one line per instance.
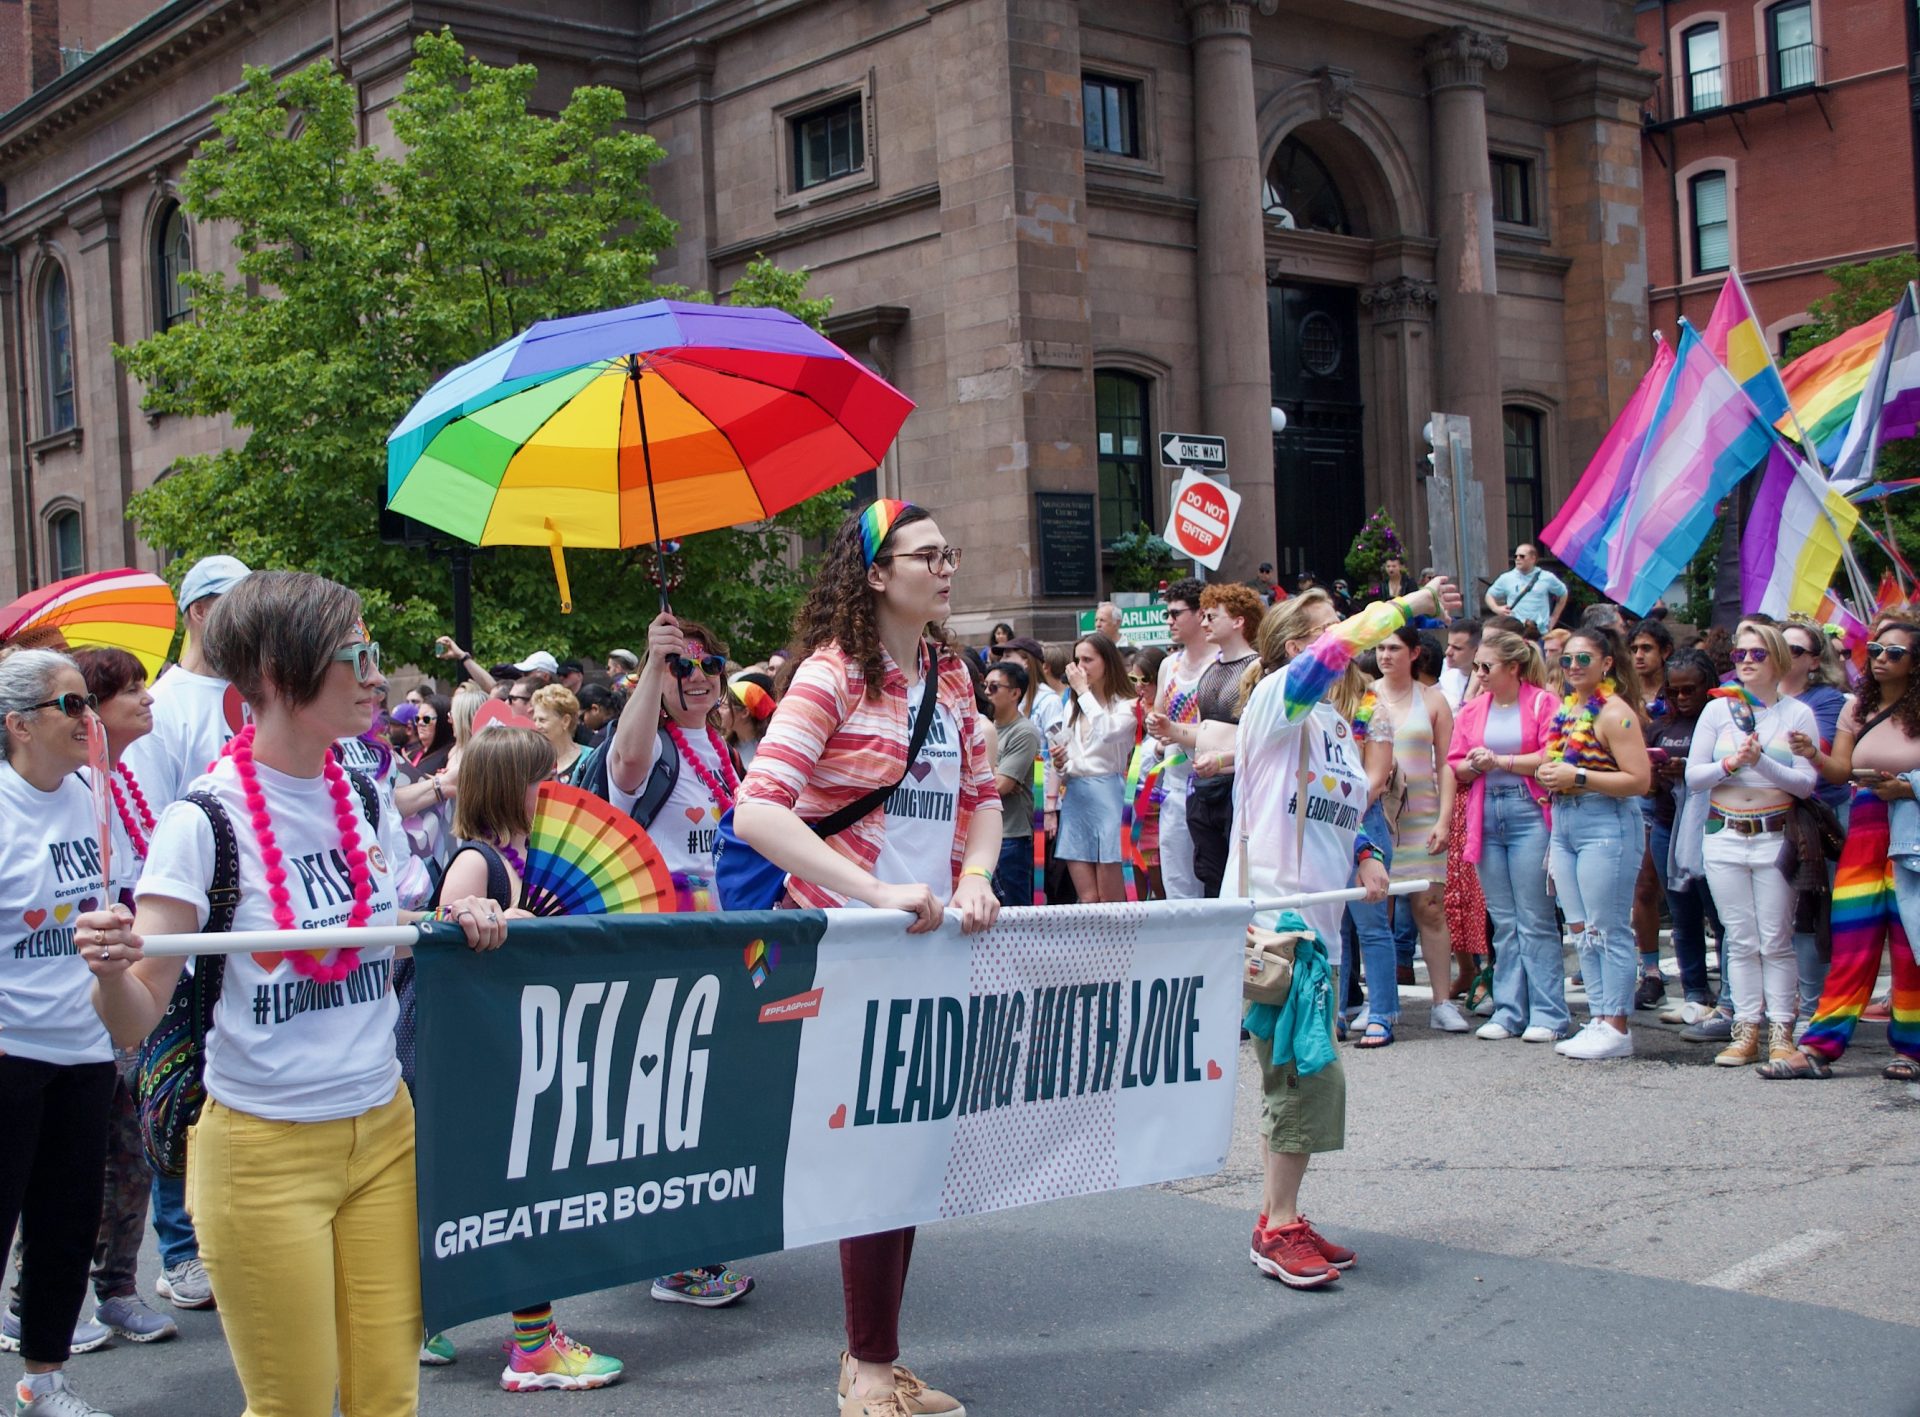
[1596, 855]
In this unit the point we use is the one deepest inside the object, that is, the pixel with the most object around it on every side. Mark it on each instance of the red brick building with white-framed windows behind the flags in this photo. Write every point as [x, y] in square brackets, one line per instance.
[1781, 143]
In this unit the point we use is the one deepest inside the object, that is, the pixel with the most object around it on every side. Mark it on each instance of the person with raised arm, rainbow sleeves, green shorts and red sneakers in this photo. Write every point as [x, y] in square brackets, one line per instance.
[1299, 807]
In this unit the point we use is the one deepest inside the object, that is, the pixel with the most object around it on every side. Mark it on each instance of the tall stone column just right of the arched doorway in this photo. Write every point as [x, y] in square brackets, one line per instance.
[1468, 339]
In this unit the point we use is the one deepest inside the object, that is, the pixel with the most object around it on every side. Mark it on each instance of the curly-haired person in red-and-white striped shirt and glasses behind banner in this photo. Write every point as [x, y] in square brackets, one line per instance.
[873, 644]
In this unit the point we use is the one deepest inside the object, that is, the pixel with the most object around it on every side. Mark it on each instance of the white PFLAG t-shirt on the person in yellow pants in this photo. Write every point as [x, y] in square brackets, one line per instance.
[283, 1045]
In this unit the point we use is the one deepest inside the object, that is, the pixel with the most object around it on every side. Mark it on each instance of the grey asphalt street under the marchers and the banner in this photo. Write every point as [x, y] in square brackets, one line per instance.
[1646, 1236]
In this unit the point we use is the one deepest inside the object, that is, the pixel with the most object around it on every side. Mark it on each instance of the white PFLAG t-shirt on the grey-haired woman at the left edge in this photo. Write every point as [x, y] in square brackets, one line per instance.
[49, 877]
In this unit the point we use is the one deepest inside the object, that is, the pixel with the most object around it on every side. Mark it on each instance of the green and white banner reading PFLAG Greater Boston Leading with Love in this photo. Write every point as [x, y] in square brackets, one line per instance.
[619, 1097]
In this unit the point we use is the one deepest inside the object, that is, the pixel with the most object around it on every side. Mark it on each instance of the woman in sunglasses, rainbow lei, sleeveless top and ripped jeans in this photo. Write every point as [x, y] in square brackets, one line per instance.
[1596, 765]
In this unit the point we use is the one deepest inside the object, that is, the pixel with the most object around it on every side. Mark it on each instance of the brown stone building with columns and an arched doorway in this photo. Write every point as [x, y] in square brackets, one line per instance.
[1061, 228]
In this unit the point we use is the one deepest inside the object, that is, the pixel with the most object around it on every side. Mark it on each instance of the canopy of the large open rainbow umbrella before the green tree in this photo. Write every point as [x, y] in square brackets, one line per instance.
[638, 425]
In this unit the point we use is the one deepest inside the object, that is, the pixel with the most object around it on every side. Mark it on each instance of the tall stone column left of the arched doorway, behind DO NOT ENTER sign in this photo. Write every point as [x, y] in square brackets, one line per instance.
[1236, 375]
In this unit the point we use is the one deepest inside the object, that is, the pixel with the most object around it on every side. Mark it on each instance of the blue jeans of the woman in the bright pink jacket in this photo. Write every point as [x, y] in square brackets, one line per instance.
[1529, 986]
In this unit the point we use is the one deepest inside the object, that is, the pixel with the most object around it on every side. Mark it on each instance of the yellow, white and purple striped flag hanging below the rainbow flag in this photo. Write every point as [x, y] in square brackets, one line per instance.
[1794, 539]
